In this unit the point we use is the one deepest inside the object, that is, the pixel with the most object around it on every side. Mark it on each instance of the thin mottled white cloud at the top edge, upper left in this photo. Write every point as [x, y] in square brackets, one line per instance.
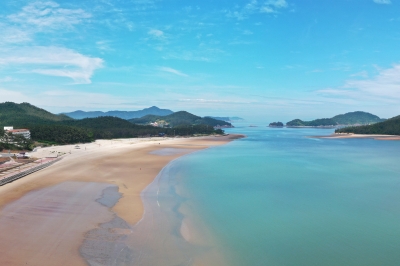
[48, 15]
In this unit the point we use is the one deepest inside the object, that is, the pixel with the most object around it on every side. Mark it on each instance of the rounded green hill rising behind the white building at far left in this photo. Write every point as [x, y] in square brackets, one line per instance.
[25, 114]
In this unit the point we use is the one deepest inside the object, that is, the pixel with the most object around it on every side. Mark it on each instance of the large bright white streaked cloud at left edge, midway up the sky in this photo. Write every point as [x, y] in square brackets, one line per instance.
[53, 61]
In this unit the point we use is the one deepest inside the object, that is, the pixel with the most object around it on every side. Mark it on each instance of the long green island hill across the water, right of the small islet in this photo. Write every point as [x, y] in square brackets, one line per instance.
[352, 118]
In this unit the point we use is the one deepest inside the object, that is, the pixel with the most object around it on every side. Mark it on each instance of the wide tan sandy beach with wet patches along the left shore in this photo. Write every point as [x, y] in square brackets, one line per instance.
[64, 214]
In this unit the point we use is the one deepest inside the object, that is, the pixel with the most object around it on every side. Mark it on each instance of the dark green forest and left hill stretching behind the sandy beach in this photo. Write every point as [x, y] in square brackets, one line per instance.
[59, 129]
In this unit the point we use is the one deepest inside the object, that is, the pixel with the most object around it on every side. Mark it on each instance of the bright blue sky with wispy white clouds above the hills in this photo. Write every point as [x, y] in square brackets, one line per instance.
[263, 60]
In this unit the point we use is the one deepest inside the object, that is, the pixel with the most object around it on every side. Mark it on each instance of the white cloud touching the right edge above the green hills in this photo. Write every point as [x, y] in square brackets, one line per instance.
[383, 87]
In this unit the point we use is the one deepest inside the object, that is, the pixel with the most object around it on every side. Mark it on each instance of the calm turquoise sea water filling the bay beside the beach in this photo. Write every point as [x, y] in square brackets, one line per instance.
[280, 198]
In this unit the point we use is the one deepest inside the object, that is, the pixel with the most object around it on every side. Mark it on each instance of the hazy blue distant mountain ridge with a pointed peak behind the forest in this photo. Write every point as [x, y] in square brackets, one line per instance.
[154, 110]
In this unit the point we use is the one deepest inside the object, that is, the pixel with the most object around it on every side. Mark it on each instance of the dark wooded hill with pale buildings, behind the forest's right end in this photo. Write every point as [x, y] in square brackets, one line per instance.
[179, 118]
